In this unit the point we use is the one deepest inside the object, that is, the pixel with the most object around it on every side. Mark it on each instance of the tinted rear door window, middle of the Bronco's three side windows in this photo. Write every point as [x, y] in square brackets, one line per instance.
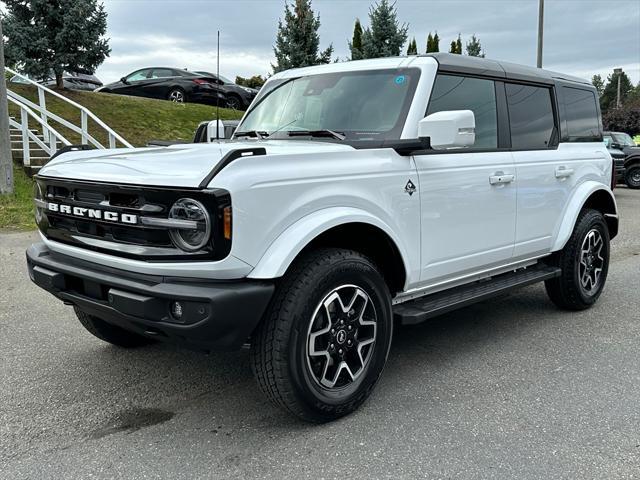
[530, 116]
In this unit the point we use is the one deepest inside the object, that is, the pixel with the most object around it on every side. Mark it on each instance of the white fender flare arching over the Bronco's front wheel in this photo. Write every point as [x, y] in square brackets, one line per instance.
[343, 228]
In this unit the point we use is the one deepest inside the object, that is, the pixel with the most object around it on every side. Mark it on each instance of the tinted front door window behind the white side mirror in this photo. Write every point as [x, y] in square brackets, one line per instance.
[462, 93]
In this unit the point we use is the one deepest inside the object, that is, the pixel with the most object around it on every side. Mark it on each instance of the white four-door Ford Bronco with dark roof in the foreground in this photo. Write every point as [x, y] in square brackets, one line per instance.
[352, 197]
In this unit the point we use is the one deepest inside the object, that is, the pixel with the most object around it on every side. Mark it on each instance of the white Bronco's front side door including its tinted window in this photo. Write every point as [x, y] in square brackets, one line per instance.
[468, 196]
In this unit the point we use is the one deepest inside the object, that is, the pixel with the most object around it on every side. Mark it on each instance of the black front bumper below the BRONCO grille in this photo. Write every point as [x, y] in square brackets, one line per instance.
[216, 315]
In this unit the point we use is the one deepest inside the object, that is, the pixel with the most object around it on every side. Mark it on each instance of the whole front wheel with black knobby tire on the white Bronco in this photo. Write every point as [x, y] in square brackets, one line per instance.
[325, 339]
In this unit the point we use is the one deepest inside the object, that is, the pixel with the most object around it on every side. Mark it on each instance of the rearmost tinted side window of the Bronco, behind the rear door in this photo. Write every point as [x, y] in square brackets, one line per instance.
[582, 115]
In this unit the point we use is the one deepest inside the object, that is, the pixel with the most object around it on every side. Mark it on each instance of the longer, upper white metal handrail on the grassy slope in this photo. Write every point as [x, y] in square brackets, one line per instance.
[85, 114]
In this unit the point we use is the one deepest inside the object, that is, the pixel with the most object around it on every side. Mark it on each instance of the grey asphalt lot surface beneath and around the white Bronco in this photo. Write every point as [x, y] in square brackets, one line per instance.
[509, 388]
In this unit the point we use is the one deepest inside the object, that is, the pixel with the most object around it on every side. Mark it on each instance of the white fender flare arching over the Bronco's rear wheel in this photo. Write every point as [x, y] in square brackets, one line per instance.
[589, 195]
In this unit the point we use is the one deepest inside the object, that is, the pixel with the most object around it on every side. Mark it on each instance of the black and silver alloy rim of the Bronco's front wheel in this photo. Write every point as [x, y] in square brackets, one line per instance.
[341, 337]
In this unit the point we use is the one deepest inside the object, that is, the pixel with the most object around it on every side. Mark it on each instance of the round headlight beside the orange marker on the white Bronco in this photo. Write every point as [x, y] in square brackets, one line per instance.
[190, 239]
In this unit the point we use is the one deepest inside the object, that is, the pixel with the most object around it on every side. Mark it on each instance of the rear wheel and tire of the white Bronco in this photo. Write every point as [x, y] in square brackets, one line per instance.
[584, 262]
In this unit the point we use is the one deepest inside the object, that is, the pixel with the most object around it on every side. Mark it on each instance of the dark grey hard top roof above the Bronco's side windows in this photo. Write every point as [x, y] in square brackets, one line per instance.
[453, 63]
